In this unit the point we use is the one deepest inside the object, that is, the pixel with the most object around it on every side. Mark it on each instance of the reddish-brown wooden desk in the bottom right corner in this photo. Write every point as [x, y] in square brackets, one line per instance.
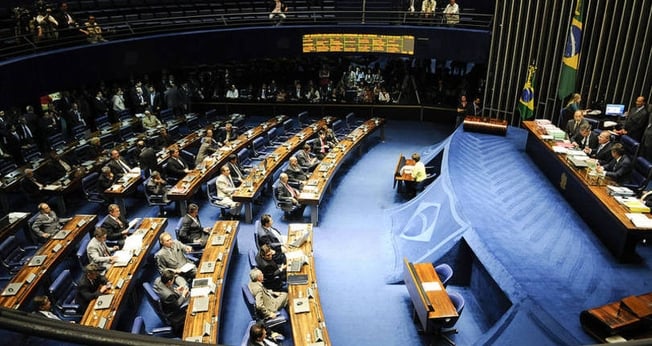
[627, 319]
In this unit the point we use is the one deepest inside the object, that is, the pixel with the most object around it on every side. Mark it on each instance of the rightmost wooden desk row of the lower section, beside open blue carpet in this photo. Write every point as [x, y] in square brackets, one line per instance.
[308, 328]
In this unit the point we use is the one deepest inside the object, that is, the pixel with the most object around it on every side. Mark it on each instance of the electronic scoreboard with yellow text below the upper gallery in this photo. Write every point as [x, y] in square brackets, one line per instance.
[358, 43]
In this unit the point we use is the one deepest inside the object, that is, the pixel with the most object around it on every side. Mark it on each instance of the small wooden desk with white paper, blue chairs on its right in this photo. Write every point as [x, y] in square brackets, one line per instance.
[431, 303]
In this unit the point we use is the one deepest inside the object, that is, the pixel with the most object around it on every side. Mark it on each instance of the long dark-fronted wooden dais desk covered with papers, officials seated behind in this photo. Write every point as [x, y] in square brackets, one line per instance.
[598, 208]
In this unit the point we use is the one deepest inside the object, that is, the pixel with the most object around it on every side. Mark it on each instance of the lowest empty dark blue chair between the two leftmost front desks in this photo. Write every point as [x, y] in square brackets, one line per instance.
[62, 293]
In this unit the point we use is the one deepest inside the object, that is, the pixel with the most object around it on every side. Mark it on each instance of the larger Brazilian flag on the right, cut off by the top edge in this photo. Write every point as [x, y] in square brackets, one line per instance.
[571, 58]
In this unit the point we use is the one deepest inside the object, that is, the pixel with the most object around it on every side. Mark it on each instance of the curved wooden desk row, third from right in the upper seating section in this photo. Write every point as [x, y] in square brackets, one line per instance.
[191, 183]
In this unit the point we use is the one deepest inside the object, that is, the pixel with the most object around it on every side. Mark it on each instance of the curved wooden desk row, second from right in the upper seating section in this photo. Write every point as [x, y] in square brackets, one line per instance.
[255, 181]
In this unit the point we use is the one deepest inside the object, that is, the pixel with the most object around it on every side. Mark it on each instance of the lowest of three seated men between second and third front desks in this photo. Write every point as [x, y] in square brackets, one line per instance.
[174, 299]
